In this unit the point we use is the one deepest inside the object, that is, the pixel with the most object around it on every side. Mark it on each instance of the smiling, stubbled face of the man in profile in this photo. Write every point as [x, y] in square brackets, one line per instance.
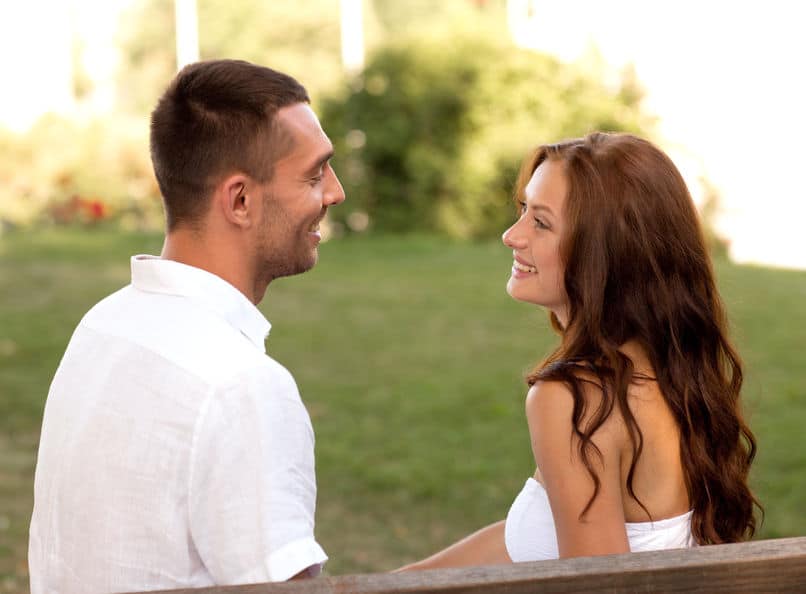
[295, 201]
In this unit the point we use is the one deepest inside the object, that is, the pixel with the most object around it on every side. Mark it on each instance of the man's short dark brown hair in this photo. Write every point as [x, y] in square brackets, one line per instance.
[217, 117]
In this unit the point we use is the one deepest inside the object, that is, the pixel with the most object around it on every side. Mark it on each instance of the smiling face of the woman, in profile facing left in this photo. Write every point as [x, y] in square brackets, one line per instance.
[537, 271]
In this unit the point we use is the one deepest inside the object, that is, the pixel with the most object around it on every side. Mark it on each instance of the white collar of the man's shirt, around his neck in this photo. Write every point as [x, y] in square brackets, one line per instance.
[156, 275]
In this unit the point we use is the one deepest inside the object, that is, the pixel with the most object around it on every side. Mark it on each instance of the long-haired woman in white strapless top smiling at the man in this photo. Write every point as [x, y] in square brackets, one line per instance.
[635, 419]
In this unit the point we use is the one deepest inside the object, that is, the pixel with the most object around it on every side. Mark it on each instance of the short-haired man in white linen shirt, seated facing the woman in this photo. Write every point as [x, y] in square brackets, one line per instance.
[174, 453]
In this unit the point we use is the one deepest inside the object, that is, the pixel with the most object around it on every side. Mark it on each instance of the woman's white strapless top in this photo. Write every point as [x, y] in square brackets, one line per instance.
[530, 534]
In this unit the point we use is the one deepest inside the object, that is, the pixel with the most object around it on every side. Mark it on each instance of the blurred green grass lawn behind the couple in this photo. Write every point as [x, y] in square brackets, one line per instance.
[410, 356]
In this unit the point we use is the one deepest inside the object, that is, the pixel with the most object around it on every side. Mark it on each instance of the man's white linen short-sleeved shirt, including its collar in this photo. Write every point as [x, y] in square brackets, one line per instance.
[174, 453]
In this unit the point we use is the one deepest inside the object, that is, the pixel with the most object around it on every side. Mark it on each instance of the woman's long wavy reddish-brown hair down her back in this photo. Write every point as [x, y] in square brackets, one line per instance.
[637, 269]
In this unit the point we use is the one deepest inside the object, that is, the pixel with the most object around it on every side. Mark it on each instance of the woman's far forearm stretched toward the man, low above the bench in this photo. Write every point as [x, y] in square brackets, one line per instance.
[484, 547]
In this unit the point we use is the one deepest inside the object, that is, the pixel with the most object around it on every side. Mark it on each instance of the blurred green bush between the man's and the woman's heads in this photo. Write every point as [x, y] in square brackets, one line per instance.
[432, 135]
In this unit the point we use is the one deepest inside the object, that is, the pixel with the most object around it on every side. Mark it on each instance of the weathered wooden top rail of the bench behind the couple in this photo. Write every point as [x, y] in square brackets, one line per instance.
[761, 566]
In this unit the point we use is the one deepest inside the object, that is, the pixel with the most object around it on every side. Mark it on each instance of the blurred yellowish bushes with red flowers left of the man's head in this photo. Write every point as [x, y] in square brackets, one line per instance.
[84, 172]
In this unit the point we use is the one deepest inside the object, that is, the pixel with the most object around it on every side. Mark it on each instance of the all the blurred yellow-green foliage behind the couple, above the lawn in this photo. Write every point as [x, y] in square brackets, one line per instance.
[429, 137]
